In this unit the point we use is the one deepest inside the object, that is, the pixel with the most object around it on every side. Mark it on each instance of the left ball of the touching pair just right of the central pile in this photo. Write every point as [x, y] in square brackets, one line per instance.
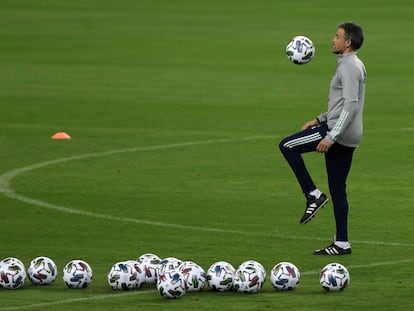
[220, 276]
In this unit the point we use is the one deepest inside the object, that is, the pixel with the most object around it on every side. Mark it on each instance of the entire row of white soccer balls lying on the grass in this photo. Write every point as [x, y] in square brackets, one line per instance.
[172, 276]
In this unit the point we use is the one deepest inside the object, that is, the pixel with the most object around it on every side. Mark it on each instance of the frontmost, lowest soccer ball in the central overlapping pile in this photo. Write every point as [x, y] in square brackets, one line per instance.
[171, 284]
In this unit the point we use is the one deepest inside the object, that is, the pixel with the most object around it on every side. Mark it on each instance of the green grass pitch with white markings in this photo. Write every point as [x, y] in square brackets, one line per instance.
[175, 109]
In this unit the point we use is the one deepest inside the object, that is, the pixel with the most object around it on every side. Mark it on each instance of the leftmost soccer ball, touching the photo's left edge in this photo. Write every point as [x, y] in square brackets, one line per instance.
[12, 273]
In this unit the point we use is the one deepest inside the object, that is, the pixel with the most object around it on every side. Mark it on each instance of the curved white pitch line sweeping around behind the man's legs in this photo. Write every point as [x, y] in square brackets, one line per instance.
[6, 179]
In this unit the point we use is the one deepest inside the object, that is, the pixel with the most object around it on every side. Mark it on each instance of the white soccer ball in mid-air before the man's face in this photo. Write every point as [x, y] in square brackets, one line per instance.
[300, 50]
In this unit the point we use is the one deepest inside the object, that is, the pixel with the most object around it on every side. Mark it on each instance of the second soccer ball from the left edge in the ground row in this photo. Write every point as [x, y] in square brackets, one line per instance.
[42, 271]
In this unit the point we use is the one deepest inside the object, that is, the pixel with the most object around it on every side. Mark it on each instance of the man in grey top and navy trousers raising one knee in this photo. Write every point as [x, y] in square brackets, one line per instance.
[336, 133]
